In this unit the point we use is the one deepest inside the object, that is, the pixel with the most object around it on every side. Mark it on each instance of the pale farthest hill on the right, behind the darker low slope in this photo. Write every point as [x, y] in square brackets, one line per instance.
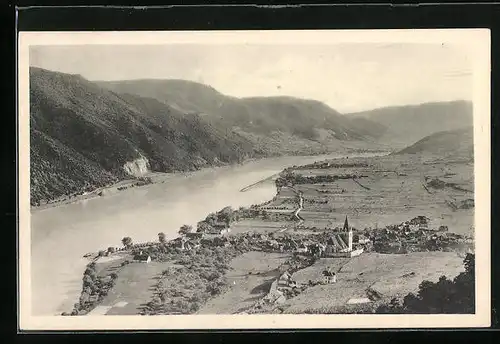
[408, 124]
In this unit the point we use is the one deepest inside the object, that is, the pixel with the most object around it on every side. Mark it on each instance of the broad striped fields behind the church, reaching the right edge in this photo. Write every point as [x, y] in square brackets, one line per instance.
[389, 190]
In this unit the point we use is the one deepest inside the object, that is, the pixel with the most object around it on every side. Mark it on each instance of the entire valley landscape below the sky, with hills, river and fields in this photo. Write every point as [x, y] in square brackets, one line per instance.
[261, 187]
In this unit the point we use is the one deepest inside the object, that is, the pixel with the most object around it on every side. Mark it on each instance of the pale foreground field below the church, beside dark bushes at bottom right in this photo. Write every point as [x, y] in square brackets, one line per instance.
[388, 275]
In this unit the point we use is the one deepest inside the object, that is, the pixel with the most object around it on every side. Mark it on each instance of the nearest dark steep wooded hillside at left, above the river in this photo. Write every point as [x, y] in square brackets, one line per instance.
[83, 135]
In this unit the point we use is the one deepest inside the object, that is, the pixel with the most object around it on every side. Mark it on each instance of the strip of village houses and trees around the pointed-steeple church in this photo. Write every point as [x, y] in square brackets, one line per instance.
[342, 242]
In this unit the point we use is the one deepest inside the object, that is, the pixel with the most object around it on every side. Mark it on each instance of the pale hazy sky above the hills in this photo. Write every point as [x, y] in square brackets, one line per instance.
[348, 77]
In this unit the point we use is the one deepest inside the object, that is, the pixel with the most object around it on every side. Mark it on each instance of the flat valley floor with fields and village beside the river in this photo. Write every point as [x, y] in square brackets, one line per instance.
[403, 226]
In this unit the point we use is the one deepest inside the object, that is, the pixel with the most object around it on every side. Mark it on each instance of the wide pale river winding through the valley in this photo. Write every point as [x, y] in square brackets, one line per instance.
[61, 235]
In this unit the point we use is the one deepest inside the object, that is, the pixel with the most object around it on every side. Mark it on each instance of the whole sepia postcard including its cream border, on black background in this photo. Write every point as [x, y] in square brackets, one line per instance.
[251, 179]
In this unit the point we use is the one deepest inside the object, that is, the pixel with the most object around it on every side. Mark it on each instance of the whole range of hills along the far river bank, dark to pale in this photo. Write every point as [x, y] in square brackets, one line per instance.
[84, 135]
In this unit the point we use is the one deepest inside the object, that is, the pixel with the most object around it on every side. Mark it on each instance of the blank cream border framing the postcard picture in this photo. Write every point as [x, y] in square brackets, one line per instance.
[476, 42]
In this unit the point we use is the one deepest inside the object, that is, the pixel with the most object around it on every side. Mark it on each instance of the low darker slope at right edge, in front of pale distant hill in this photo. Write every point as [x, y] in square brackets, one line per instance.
[457, 142]
